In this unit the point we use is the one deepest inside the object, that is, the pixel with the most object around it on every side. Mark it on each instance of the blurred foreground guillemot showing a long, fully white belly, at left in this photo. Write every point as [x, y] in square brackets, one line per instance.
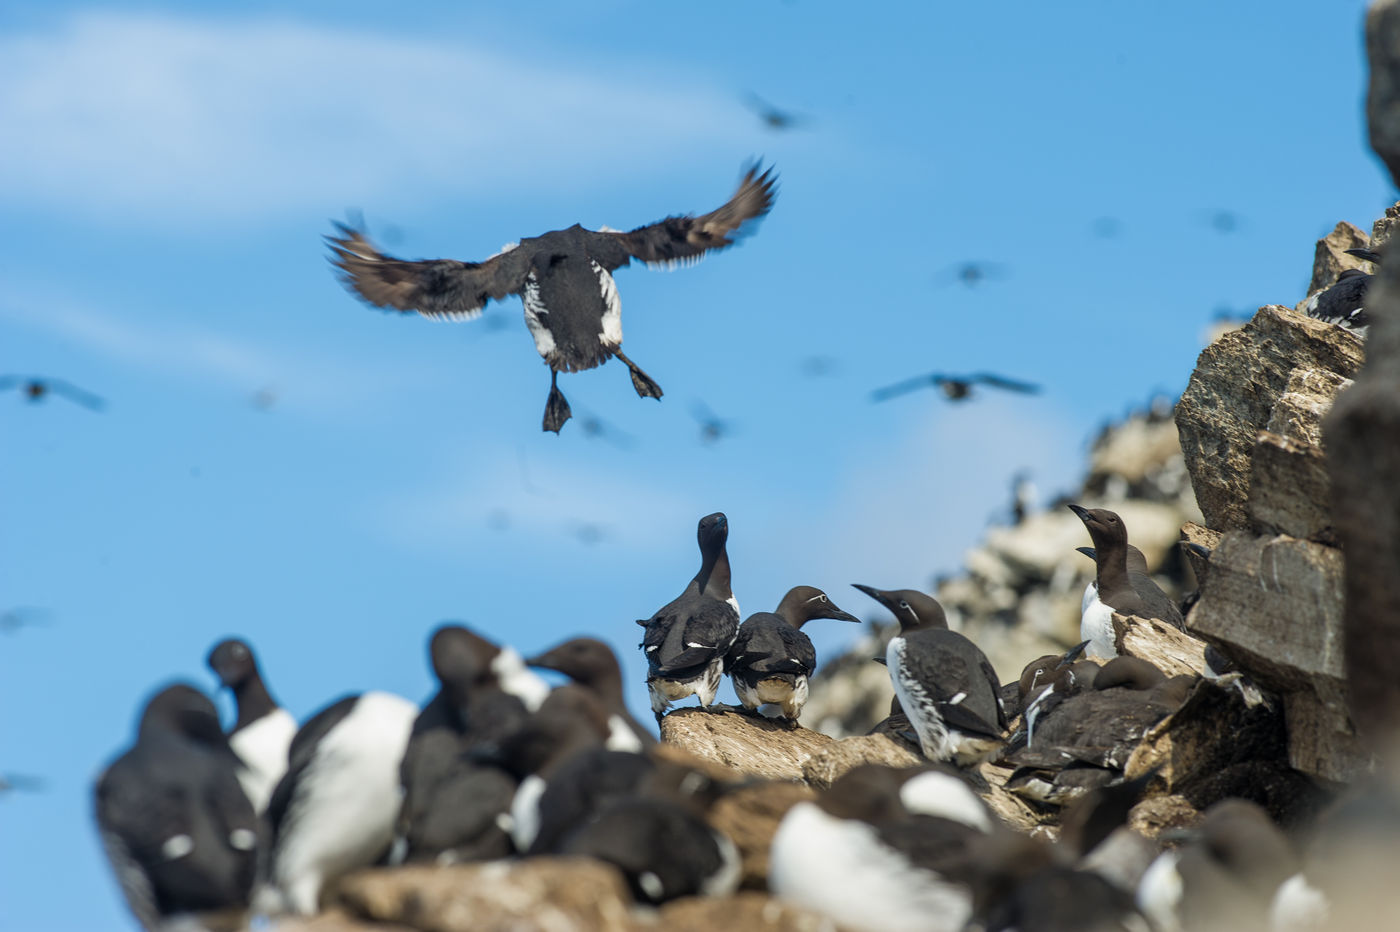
[335, 808]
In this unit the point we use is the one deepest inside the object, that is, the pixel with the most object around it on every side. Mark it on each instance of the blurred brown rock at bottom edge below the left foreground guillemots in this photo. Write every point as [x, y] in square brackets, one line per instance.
[541, 894]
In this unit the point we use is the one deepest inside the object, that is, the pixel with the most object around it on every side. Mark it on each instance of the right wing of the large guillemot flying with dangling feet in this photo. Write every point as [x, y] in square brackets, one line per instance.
[688, 239]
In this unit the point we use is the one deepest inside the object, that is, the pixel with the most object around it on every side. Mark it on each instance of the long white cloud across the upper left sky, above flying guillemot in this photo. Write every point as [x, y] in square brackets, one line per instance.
[134, 115]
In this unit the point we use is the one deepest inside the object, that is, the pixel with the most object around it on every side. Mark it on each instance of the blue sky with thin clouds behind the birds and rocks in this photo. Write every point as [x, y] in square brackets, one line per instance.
[167, 173]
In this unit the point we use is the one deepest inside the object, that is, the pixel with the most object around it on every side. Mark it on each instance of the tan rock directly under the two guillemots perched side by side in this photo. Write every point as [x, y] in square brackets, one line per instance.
[748, 744]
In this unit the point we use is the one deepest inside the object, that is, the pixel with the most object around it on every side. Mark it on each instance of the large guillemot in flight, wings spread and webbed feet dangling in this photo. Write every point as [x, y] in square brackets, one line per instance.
[563, 279]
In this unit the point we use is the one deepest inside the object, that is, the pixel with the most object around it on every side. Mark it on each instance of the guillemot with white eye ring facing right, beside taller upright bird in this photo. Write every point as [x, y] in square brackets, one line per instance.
[772, 660]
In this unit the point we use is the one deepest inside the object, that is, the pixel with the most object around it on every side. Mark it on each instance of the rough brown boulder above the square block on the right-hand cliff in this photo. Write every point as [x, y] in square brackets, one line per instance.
[1233, 395]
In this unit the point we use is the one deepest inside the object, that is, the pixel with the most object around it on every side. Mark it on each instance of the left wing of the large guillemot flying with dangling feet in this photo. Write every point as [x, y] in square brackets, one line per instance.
[443, 289]
